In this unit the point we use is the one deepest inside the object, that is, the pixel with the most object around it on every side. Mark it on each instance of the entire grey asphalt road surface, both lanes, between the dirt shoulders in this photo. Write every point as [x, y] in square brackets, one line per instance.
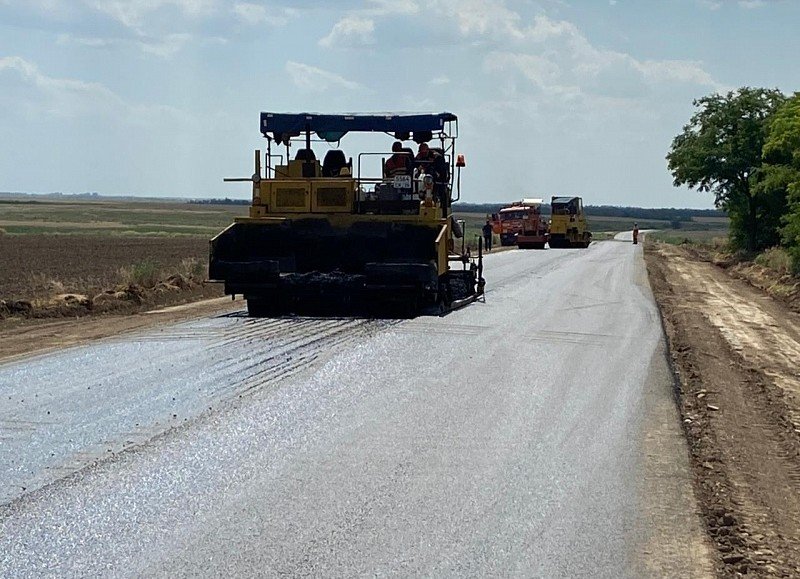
[533, 434]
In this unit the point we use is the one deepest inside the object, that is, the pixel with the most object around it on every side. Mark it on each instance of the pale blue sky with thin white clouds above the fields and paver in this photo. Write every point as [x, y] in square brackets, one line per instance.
[162, 97]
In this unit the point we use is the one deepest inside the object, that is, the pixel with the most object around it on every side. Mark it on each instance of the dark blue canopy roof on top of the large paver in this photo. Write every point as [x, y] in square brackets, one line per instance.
[334, 127]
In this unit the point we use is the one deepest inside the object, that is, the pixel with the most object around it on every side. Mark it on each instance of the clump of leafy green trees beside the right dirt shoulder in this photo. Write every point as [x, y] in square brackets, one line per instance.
[744, 148]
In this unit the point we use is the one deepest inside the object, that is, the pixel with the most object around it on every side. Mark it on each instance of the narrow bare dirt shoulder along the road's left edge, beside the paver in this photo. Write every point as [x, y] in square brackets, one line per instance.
[24, 337]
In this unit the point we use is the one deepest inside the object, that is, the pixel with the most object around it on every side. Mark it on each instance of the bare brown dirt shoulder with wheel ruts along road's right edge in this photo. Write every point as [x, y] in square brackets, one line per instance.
[736, 353]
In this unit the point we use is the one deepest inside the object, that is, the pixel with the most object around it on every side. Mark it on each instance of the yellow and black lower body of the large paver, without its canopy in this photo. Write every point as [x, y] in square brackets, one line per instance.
[325, 241]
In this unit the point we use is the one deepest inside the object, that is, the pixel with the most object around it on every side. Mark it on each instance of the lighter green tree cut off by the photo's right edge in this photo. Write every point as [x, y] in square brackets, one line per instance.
[782, 170]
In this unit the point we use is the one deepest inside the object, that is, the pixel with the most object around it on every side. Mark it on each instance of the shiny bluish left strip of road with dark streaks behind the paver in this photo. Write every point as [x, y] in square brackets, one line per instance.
[239, 355]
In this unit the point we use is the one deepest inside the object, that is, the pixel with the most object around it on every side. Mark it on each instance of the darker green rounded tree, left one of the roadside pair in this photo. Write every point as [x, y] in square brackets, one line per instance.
[720, 151]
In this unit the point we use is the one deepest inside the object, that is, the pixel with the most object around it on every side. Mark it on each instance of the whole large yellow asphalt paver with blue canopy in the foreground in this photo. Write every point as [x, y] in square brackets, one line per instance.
[335, 237]
